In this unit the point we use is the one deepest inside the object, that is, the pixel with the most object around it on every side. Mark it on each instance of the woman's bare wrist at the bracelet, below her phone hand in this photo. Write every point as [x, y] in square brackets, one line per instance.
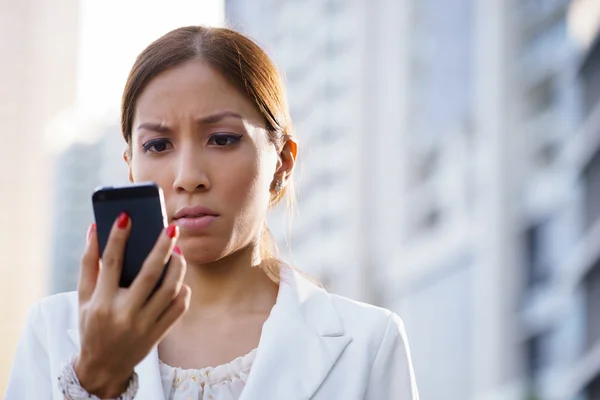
[99, 381]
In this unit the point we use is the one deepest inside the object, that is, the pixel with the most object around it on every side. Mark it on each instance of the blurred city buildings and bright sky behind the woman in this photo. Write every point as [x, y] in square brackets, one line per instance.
[449, 167]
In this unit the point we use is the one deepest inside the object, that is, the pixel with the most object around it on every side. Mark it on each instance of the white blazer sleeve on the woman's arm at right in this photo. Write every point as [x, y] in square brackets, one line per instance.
[392, 376]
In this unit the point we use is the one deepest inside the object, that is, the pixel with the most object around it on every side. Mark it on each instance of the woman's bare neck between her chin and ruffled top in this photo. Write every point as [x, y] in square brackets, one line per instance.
[234, 284]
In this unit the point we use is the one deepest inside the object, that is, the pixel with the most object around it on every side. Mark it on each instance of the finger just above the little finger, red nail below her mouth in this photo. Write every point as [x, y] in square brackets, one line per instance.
[168, 291]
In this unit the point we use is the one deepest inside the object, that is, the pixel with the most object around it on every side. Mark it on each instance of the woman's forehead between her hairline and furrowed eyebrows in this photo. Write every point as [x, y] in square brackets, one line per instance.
[193, 89]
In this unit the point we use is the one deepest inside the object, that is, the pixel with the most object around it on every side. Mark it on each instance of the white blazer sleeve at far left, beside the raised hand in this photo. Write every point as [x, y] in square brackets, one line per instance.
[30, 373]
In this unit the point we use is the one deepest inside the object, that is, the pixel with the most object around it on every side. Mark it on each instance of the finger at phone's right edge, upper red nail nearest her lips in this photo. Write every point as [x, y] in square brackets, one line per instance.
[153, 267]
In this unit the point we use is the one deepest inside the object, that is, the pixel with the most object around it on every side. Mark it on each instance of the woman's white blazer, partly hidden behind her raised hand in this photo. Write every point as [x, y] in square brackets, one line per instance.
[314, 345]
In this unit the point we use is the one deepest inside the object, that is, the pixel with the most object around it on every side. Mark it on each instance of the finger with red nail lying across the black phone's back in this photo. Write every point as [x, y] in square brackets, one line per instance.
[112, 258]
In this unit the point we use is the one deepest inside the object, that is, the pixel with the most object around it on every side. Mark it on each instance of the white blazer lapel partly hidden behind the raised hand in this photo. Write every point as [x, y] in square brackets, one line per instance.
[150, 383]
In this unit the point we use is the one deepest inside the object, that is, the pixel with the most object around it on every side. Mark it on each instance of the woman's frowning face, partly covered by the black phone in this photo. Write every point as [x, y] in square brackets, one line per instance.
[205, 144]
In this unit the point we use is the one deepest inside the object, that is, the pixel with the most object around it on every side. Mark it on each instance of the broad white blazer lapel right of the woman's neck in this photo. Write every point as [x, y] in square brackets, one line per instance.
[301, 341]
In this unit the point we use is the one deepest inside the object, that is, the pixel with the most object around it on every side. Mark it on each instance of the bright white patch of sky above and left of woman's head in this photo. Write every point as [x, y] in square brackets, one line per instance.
[113, 32]
